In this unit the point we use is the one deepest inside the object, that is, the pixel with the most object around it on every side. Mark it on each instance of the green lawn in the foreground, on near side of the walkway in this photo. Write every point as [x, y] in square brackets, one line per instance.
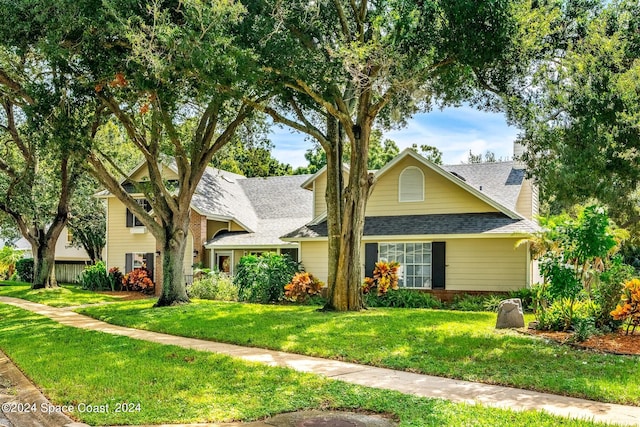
[174, 385]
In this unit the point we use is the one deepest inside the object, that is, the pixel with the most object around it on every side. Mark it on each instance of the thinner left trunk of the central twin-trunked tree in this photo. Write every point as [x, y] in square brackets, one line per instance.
[333, 197]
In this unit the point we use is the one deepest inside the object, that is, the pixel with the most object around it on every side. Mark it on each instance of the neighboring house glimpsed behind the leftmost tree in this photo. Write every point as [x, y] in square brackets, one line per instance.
[70, 260]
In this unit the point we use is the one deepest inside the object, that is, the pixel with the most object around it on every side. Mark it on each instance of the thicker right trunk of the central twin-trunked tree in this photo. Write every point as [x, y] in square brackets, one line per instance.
[346, 294]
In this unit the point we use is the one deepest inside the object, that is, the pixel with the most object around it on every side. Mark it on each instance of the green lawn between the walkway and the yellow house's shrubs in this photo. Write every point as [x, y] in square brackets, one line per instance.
[452, 344]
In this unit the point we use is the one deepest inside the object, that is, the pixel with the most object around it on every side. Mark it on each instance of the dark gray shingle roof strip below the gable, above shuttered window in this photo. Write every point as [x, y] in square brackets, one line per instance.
[436, 224]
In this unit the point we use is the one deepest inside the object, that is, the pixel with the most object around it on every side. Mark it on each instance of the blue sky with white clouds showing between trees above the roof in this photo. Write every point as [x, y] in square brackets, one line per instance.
[454, 131]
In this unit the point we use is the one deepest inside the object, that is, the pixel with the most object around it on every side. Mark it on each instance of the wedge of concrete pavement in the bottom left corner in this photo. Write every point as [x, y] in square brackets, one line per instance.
[27, 394]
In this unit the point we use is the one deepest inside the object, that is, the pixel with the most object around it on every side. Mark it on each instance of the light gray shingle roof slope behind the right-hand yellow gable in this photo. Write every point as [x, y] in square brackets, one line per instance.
[499, 180]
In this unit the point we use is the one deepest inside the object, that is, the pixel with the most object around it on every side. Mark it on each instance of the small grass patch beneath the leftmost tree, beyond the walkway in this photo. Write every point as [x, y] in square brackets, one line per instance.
[65, 296]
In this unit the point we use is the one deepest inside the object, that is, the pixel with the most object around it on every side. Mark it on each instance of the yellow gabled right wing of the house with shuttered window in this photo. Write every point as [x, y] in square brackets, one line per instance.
[453, 229]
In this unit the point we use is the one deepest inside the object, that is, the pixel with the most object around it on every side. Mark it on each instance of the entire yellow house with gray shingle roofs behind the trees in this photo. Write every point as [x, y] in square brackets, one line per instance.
[452, 228]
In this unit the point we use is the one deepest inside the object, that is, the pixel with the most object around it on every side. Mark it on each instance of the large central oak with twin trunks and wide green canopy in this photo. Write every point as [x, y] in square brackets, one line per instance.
[342, 66]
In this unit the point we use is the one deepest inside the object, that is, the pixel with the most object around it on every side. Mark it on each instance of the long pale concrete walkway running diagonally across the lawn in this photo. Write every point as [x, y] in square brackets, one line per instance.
[404, 382]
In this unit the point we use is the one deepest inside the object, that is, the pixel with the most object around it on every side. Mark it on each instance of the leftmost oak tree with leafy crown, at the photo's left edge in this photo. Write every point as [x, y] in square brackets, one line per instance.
[45, 130]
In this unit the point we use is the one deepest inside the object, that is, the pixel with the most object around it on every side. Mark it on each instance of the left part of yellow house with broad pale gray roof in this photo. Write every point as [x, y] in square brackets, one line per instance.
[231, 216]
